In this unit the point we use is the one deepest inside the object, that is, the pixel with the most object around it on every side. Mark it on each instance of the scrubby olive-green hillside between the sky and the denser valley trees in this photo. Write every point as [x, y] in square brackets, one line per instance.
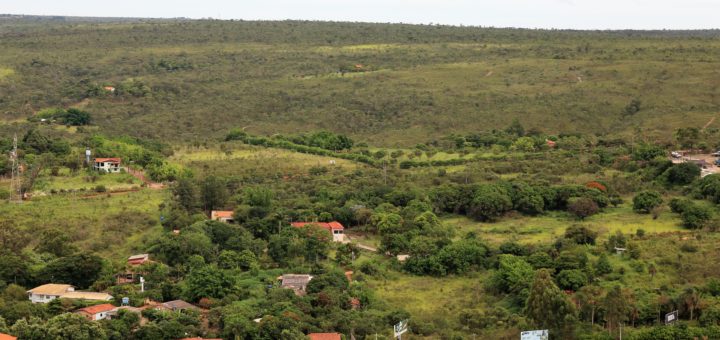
[396, 85]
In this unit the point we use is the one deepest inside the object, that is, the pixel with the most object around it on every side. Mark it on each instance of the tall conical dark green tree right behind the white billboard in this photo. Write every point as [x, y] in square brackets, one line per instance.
[548, 307]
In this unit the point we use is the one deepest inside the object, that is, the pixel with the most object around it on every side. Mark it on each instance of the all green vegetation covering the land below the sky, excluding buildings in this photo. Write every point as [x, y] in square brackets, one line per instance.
[486, 188]
